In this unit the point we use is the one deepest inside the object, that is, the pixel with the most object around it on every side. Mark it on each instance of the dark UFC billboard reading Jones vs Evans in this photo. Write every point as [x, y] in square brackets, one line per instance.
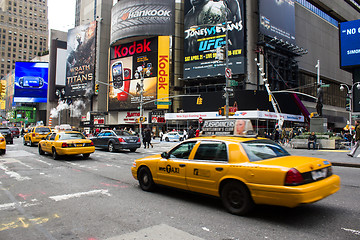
[206, 24]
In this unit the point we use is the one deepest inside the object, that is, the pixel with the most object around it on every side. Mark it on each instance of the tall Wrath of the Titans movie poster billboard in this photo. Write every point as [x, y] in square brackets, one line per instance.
[80, 63]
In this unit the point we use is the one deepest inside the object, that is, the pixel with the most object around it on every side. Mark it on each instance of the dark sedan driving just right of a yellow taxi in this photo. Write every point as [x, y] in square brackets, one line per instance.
[116, 140]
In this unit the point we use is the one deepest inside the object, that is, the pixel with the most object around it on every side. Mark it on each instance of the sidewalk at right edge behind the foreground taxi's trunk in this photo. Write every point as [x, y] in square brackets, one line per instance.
[336, 157]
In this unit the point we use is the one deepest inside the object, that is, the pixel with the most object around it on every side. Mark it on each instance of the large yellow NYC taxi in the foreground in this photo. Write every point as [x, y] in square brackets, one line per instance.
[242, 171]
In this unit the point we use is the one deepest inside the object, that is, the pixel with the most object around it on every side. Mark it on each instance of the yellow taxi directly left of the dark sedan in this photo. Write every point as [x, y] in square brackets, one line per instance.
[66, 143]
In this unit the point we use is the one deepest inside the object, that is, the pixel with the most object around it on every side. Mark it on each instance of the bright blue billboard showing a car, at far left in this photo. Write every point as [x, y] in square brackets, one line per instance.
[31, 82]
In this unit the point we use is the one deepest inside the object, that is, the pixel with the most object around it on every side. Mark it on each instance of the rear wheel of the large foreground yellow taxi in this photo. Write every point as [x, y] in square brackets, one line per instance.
[236, 198]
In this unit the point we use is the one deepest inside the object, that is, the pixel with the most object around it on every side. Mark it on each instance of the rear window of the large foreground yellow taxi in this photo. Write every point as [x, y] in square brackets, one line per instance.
[258, 150]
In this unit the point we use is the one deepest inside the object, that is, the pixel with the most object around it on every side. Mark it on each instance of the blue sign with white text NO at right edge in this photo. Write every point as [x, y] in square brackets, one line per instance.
[350, 43]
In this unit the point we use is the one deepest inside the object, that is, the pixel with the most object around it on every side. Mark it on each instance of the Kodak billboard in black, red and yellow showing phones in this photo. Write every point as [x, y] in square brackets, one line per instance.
[152, 56]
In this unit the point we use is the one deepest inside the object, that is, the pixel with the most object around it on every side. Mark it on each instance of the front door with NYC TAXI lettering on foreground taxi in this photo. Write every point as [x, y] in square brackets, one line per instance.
[171, 171]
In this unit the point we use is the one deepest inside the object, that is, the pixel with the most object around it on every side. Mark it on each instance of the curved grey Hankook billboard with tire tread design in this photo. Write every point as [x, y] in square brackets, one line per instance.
[142, 18]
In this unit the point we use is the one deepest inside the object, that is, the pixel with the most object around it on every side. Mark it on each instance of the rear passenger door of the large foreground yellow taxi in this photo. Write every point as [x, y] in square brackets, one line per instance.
[208, 166]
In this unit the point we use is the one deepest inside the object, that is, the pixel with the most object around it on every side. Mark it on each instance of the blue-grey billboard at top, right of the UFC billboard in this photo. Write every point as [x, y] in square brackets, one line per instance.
[277, 19]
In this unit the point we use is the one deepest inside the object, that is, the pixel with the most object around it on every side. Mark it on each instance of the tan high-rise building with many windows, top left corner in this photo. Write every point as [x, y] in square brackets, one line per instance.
[23, 31]
